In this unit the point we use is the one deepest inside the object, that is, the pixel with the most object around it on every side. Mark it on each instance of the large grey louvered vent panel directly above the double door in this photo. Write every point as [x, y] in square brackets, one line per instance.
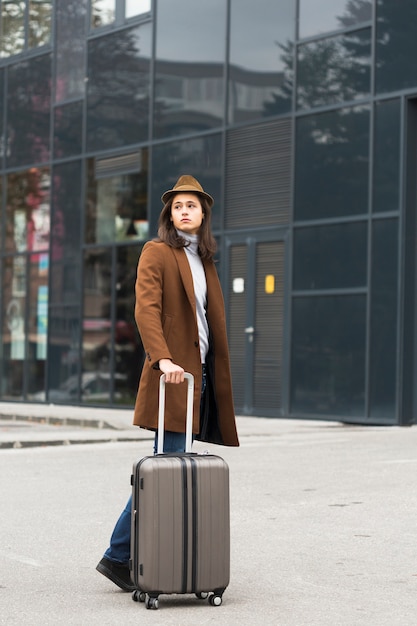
[258, 176]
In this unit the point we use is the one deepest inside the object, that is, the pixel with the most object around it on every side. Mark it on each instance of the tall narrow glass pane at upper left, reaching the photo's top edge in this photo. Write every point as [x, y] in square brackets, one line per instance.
[70, 49]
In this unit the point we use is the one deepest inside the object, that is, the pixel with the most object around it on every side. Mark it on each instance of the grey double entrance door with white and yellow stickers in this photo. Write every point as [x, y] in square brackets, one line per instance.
[255, 301]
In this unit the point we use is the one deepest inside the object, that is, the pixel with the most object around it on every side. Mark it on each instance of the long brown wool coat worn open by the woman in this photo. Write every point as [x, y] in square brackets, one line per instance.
[165, 314]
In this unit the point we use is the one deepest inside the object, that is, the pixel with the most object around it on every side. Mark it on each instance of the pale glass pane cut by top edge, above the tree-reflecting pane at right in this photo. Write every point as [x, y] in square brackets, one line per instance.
[321, 16]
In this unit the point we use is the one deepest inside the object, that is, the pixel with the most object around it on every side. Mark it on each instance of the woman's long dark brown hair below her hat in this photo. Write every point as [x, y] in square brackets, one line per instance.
[167, 233]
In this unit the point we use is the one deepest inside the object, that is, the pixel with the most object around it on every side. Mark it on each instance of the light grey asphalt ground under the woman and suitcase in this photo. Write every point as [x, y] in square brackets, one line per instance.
[323, 526]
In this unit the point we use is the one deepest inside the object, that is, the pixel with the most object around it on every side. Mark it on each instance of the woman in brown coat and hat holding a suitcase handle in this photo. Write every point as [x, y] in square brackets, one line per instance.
[181, 319]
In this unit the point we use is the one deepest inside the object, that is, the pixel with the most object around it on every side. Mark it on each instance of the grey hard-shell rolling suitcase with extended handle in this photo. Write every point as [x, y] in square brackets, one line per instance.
[180, 520]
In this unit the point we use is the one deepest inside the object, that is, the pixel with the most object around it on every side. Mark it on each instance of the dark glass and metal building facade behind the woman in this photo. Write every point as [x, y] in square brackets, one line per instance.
[298, 116]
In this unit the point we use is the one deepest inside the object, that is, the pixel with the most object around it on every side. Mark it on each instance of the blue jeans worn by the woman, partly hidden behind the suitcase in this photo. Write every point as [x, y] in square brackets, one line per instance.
[119, 549]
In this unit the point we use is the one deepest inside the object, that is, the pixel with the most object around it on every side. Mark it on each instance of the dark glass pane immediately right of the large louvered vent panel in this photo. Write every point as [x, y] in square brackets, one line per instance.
[332, 164]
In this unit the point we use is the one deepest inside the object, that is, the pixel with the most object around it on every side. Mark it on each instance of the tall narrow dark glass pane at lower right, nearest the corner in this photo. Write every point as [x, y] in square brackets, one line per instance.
[383, 355]
